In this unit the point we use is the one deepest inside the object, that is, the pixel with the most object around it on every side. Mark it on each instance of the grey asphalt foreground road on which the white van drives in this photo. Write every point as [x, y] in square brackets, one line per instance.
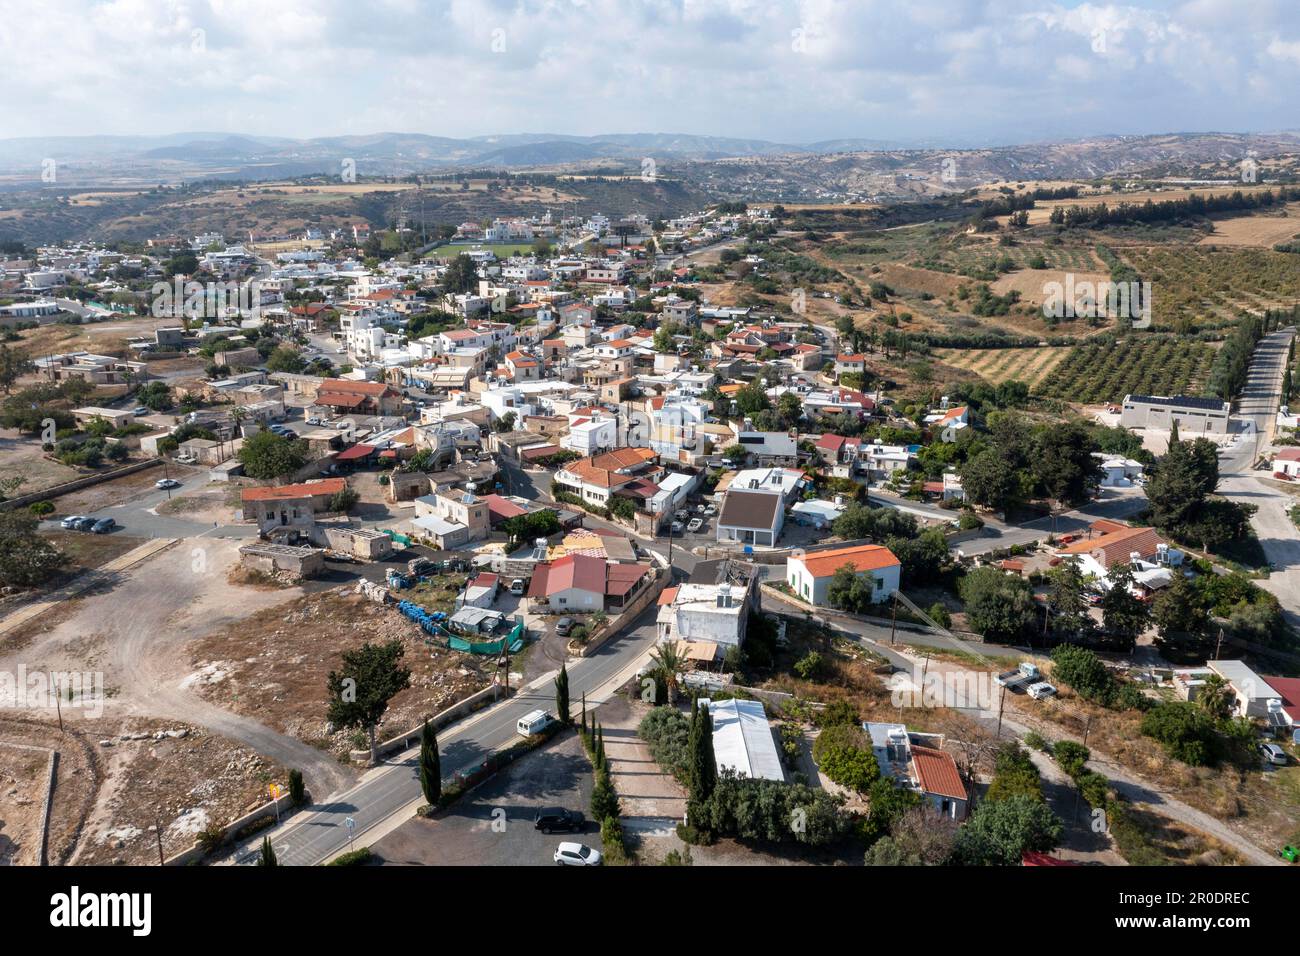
[392, 793]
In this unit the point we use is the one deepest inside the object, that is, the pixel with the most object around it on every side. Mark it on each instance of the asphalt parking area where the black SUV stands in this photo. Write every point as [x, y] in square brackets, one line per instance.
[493, 825]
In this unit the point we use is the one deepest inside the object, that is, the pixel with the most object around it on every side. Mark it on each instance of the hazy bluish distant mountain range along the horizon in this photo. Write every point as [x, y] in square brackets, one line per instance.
[853, 166]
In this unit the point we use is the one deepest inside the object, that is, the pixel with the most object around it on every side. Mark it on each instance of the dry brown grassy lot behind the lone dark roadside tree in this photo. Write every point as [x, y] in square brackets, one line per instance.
[275, 664]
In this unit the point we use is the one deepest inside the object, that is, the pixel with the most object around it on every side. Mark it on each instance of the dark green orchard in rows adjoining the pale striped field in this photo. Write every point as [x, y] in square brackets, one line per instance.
[1107, 371]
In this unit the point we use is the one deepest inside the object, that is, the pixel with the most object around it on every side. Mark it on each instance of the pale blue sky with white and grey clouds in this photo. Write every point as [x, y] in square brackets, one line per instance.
[943, 73]
